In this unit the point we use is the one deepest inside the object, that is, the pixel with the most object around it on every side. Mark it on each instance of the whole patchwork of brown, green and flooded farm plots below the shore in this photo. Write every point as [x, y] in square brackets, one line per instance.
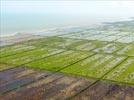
[77, 65]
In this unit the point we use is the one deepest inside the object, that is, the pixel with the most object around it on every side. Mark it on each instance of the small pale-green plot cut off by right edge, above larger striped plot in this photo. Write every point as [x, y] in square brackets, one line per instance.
[127, 50]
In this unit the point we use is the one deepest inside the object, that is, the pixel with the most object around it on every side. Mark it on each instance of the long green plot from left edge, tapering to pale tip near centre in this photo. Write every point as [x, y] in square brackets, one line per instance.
[25, 57]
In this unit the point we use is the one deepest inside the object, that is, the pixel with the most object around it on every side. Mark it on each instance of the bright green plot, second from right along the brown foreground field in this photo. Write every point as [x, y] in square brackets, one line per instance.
[95, 66]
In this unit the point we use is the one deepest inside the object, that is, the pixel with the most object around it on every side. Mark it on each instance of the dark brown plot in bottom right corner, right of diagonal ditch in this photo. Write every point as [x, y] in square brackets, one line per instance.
[107, 91]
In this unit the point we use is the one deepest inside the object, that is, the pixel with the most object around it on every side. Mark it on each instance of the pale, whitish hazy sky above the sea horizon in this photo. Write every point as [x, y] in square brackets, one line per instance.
[71, 7]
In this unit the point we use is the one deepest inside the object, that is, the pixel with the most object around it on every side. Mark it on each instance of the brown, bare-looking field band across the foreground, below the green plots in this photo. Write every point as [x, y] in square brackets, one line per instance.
[28, 84]
